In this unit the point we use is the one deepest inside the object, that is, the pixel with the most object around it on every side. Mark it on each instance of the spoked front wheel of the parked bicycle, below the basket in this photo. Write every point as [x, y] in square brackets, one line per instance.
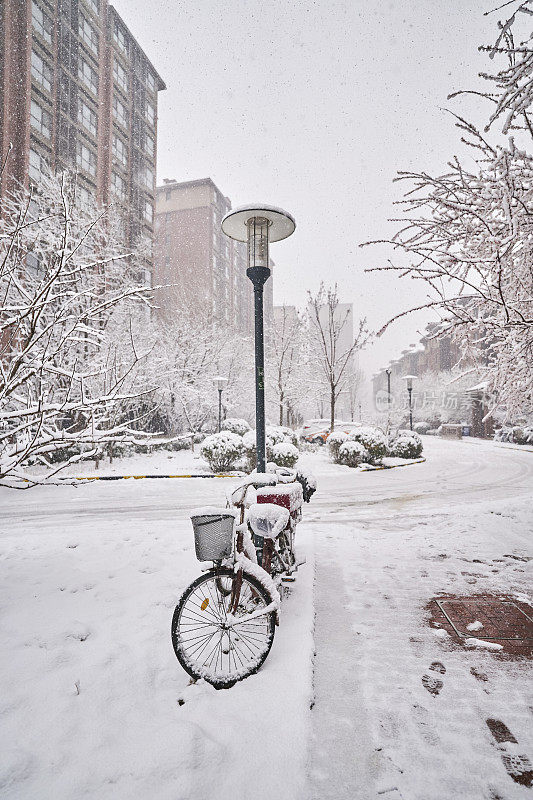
[210, 646]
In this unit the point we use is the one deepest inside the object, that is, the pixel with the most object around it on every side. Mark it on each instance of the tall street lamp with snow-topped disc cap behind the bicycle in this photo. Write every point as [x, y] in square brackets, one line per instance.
[258, 225]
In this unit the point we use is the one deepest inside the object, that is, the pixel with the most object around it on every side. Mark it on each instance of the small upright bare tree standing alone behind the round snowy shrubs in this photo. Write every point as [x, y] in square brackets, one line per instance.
[333, 355]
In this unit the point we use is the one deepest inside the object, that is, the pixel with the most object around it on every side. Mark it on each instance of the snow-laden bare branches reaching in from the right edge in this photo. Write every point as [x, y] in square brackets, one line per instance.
[467, 235]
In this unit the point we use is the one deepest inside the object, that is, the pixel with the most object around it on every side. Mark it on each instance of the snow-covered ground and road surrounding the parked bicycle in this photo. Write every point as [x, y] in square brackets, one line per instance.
[94, 703]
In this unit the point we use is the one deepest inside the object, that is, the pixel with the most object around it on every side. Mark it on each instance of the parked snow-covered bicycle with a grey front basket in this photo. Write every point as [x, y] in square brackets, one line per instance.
[224, 624]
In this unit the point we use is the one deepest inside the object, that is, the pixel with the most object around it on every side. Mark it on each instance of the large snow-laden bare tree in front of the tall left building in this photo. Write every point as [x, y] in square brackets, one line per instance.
[63, 274]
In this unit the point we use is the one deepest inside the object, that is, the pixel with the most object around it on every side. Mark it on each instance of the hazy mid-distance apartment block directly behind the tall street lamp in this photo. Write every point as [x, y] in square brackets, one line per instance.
[204, 271]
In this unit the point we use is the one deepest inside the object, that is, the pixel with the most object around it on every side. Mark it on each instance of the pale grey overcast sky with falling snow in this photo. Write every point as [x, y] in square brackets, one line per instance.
[314, 106]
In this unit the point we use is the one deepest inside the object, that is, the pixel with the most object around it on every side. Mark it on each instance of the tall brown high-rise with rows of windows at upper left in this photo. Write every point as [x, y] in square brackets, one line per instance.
[79, 93]
